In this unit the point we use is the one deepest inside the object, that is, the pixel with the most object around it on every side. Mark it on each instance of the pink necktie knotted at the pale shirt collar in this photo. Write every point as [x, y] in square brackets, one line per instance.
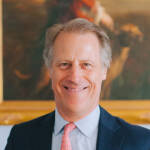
[65, 144]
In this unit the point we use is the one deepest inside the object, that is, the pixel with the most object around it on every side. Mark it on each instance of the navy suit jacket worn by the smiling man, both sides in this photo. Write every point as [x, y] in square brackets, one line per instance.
[113, 134]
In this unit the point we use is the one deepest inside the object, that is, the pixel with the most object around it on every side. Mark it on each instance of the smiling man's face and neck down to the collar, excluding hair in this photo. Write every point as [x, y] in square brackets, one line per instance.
[76, 73]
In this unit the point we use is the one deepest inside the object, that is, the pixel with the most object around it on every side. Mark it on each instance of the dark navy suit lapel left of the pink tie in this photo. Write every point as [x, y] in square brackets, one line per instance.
[42, 137]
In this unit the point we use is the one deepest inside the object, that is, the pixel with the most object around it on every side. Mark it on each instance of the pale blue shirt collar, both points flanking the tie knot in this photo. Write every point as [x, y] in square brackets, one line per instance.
[87, 125]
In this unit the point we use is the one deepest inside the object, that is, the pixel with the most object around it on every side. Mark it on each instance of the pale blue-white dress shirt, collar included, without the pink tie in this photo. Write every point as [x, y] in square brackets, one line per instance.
[83, 137]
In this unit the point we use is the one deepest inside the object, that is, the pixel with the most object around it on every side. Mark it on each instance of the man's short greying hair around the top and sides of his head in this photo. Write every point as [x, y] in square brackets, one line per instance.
[82, 26]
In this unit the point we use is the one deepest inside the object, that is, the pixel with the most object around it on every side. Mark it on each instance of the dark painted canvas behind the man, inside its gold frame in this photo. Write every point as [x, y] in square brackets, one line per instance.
[127, 22]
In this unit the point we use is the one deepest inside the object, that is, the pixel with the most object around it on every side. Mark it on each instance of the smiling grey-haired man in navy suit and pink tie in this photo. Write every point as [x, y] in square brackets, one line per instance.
[77, 54]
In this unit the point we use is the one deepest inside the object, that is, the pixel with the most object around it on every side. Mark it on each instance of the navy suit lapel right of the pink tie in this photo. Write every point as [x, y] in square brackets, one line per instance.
[110, 136]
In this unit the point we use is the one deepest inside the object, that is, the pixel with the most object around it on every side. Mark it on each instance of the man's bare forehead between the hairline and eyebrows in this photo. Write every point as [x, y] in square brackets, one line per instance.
[74, 44]
